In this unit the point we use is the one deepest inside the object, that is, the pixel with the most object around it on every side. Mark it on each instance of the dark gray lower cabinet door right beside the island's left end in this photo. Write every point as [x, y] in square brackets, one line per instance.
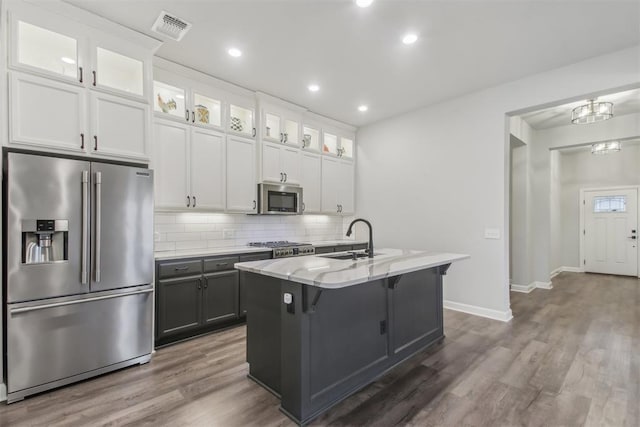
[220, 297]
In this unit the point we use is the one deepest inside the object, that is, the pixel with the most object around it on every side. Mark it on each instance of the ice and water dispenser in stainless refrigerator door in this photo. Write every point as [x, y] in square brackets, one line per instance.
[45, 241]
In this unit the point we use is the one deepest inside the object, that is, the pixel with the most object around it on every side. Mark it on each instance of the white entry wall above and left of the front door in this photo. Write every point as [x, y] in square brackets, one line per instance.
[580, 170]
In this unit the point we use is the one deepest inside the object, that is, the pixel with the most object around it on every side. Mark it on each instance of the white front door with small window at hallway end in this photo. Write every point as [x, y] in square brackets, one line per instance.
[611, 231]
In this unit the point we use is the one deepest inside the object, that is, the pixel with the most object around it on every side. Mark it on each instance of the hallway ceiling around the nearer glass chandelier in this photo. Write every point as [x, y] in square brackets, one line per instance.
[627, 102]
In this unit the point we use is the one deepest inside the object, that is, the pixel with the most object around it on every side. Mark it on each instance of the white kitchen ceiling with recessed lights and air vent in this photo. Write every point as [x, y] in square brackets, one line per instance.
[356, 55]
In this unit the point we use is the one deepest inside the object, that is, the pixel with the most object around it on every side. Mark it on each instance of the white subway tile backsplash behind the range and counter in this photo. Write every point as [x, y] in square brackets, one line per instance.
[178, 231]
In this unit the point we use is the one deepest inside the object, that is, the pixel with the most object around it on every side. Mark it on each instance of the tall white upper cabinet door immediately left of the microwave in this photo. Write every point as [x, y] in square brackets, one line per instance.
[241, 175]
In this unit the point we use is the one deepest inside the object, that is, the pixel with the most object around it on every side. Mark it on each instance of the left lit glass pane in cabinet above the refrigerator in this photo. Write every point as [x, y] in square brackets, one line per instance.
[47, 50]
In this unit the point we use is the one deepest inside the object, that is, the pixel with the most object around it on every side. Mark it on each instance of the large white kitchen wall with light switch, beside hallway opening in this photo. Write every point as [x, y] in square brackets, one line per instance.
[434, 178]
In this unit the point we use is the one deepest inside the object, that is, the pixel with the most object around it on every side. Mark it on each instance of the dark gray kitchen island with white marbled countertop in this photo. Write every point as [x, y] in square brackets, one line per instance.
[320, 328]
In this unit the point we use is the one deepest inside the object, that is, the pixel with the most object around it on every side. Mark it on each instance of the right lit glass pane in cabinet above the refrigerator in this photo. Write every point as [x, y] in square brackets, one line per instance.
[120, 72]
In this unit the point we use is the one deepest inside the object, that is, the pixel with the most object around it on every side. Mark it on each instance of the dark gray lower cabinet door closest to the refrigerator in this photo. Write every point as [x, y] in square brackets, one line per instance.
[178, 305]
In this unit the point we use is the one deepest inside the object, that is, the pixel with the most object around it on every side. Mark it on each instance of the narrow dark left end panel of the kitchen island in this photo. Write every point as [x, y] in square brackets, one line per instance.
[263, 301]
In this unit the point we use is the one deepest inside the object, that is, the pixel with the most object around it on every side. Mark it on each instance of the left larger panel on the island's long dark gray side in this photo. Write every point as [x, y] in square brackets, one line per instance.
[338, 346]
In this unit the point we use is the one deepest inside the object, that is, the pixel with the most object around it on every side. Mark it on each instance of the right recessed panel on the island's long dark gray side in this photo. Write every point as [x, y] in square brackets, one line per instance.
[415, 310]
